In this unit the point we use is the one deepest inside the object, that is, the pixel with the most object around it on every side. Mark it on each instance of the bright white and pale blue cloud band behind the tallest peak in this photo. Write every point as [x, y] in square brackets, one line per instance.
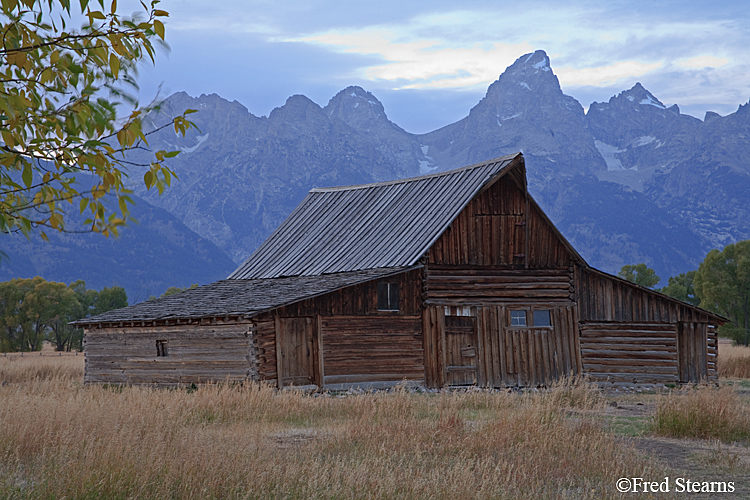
[593, 45]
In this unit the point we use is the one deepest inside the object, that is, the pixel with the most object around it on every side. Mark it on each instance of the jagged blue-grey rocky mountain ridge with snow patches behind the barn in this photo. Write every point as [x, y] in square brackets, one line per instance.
[630, 180]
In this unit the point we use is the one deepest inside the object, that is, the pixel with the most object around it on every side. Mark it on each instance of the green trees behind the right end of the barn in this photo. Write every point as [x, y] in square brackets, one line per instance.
[721, 284]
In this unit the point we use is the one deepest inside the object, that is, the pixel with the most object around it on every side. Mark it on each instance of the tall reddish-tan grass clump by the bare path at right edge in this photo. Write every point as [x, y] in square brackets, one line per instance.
[706, 413]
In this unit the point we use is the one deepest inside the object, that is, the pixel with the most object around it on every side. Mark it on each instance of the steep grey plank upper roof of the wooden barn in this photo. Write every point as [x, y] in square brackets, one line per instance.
[388, 224]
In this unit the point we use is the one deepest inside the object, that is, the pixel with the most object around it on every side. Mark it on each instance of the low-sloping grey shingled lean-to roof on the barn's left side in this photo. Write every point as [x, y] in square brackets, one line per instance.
[237, 298]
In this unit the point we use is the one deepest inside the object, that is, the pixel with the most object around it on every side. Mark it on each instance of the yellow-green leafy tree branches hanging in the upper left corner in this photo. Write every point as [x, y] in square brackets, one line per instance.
[64, 133]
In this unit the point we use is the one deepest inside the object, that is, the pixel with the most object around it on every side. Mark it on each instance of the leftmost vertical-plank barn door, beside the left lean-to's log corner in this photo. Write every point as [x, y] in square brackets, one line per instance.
[295, 352]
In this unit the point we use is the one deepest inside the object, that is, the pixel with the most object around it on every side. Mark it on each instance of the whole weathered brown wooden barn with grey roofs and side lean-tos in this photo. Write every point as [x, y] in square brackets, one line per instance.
[449, 279]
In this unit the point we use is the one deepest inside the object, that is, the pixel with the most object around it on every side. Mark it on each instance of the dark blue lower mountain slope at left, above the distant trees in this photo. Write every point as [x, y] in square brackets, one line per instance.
[146, 259]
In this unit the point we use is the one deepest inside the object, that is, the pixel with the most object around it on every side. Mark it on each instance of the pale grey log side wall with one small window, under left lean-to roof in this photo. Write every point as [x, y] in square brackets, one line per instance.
[196, 354]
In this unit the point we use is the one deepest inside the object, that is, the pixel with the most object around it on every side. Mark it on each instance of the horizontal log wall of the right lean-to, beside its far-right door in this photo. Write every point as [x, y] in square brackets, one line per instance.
[632, 353]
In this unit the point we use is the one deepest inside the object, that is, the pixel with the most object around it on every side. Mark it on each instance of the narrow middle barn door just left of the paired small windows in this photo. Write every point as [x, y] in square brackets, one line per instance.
[460, 350]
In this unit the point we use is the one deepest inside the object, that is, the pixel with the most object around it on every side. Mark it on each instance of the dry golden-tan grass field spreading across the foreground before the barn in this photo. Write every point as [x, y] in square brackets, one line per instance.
[59, 439]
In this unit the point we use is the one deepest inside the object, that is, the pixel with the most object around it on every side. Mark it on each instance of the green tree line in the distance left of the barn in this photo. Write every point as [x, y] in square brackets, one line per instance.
[34, 310]
